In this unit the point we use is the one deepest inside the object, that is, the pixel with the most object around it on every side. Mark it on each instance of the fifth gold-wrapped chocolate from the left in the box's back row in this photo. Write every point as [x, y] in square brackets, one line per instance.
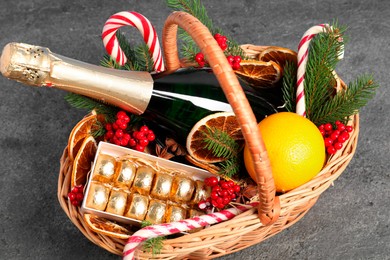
[182, 189]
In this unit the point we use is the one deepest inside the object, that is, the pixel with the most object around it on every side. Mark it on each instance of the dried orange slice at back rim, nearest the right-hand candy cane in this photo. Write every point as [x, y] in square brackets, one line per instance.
[279, 55]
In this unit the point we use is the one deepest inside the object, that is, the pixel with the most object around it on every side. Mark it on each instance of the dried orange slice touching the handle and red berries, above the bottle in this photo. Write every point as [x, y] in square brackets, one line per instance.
[259, 74]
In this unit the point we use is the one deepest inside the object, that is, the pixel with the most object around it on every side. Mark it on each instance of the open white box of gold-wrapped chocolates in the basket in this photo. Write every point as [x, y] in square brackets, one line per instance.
[129, 187]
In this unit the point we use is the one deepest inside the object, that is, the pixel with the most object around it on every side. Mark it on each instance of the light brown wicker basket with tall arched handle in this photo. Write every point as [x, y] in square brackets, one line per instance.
[272, 214]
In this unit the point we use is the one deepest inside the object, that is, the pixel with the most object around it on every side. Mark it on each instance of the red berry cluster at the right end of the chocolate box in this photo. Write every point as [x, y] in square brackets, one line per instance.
[222, 193]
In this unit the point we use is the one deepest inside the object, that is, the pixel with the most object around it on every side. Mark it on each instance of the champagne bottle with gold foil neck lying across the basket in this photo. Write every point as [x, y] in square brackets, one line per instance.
[176, 101]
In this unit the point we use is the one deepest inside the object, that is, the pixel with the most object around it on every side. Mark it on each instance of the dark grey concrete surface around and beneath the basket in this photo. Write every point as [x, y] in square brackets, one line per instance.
[350, 220]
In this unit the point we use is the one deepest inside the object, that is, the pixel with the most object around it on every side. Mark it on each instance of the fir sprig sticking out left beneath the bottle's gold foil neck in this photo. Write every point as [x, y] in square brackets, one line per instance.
[89, 104]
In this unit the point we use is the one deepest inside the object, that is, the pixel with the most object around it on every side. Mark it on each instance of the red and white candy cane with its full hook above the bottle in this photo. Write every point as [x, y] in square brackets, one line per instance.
[148, 32]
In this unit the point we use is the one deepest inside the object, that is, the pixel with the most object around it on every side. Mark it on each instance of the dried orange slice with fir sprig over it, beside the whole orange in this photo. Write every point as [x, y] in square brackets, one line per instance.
[224, 121]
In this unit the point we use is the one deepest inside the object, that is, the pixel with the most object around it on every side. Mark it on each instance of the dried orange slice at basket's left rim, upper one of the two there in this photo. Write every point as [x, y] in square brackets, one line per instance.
[79, 132]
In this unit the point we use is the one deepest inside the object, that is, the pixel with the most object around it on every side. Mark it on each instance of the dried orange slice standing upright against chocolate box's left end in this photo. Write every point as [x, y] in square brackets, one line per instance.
[83, 160]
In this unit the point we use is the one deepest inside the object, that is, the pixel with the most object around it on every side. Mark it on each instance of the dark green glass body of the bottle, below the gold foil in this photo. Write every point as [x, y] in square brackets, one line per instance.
[181, 99]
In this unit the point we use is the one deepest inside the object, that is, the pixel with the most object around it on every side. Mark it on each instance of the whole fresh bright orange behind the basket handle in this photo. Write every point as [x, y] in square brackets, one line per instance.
[295, 148]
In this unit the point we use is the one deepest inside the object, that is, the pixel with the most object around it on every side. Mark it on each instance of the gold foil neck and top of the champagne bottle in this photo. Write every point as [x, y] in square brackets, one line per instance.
[38, 66]
